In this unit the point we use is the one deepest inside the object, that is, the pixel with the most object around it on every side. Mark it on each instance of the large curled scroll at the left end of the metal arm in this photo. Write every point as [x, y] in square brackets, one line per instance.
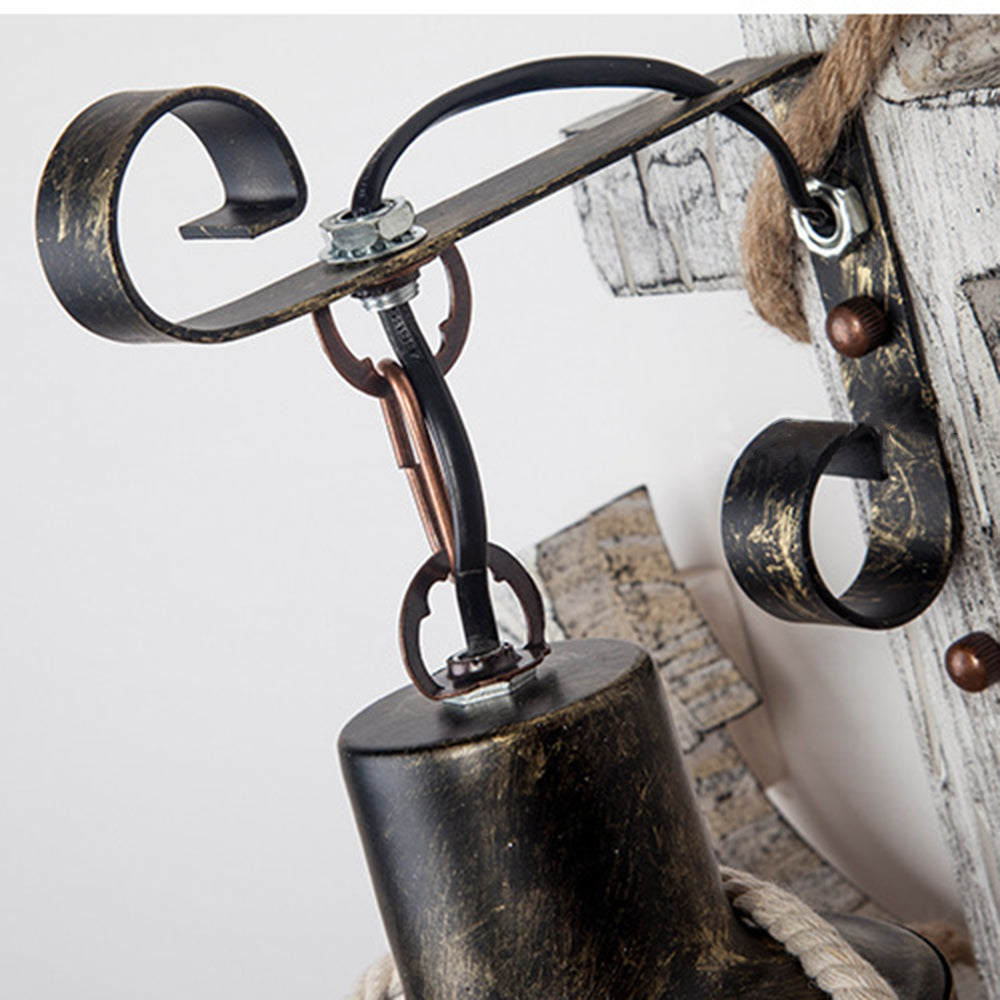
[78, 199]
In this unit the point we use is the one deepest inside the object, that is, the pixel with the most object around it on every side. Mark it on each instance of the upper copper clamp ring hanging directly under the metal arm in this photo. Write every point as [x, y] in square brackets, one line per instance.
[361, 373]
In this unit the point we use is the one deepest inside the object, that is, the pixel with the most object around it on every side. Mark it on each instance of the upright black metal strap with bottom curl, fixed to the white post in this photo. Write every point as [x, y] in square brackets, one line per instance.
[893, 445]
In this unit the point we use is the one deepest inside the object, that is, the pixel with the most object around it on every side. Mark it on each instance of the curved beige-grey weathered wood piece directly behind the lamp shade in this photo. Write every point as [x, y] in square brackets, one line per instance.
[610, 575]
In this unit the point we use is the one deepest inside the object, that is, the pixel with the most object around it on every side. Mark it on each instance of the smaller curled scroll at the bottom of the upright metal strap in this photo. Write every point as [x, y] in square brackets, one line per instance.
[766, 523]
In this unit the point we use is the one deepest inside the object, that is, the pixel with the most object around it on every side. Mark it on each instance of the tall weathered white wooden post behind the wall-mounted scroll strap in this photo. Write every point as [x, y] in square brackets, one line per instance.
[937, 162]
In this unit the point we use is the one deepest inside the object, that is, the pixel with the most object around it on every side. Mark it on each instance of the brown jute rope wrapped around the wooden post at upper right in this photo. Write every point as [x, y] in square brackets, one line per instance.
[834, 91]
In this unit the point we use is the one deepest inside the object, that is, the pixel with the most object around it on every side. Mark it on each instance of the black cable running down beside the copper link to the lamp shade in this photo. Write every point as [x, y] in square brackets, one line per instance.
[458, 465]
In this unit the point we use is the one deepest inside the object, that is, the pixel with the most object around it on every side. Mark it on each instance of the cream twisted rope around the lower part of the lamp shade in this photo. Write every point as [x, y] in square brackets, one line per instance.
[824, 954]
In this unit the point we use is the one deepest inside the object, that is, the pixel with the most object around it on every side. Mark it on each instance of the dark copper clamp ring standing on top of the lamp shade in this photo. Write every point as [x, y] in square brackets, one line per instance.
[505, 569]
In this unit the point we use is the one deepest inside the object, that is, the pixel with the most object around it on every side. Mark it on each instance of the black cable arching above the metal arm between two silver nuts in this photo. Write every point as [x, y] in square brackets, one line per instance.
[571, 72]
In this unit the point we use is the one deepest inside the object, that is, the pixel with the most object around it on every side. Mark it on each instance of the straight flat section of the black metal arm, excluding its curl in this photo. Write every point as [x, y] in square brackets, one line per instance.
[493, 199]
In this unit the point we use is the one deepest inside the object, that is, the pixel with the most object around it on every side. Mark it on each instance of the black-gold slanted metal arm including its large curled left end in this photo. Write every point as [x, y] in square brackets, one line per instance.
[78, 200]
